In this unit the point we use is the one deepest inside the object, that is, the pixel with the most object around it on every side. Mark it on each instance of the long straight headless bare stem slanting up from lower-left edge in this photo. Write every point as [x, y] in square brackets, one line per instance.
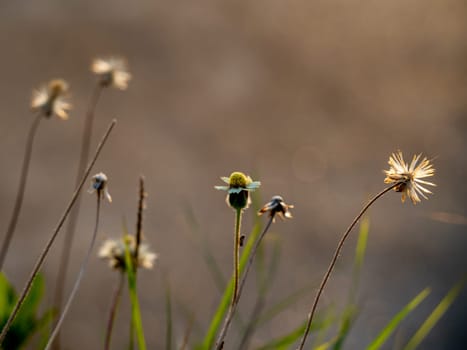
[44, 253]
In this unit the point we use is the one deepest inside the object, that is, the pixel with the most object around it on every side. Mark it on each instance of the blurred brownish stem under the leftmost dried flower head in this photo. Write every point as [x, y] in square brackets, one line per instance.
[22, 186]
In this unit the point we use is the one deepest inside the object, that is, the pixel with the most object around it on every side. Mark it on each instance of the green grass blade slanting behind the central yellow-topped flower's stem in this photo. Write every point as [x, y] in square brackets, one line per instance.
[216, 321]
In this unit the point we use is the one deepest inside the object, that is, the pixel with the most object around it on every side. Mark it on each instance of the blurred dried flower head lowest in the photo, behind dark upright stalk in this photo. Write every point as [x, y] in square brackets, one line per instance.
[114, 251]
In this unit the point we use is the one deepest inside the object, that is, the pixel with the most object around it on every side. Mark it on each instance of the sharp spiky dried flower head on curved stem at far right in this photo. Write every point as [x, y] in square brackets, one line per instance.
[409, 176]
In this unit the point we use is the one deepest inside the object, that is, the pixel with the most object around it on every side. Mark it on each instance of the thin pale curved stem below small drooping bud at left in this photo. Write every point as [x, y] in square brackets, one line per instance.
[82, 270]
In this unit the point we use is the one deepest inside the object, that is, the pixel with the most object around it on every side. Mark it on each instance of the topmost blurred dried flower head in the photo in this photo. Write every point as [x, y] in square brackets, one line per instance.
[112, 71]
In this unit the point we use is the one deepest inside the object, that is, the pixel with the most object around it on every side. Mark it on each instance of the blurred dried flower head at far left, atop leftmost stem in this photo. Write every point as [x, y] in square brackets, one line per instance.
[52, 99]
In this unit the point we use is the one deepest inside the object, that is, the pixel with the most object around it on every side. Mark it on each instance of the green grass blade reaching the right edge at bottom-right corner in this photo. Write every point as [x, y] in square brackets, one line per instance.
[435, 316]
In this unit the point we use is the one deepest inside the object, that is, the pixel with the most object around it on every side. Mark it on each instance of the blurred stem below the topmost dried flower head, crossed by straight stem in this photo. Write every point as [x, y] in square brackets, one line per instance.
[71, 227]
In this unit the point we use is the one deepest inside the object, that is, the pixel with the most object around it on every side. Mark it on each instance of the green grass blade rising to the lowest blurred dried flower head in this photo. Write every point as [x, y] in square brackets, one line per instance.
[135, 309]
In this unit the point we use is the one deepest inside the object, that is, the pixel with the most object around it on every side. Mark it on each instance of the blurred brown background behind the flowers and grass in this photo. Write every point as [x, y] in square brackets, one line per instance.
[309, 97]
